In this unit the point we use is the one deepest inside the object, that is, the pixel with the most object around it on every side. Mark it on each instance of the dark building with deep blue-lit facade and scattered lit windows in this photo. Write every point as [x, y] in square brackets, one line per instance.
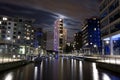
[91, 35]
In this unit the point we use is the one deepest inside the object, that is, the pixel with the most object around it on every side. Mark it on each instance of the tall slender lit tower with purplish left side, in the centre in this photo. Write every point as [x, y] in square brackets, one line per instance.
[60, 36]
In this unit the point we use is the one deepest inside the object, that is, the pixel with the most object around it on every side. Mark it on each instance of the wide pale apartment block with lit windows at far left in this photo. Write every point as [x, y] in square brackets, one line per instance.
[16, 35]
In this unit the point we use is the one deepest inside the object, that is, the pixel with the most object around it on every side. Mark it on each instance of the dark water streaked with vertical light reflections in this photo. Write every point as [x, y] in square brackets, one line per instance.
[59, 69]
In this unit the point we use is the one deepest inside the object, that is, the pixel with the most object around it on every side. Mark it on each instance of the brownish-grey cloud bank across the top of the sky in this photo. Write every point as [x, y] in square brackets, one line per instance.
[72, 8]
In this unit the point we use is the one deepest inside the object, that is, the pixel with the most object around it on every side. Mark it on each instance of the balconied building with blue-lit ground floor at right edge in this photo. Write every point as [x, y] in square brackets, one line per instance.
[110, 26]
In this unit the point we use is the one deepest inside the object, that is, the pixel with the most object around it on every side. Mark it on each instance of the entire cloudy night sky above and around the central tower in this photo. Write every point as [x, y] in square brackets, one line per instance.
[45, 12]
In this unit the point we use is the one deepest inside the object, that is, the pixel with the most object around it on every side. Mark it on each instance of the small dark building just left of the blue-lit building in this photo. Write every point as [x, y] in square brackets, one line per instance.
[78, 41]
